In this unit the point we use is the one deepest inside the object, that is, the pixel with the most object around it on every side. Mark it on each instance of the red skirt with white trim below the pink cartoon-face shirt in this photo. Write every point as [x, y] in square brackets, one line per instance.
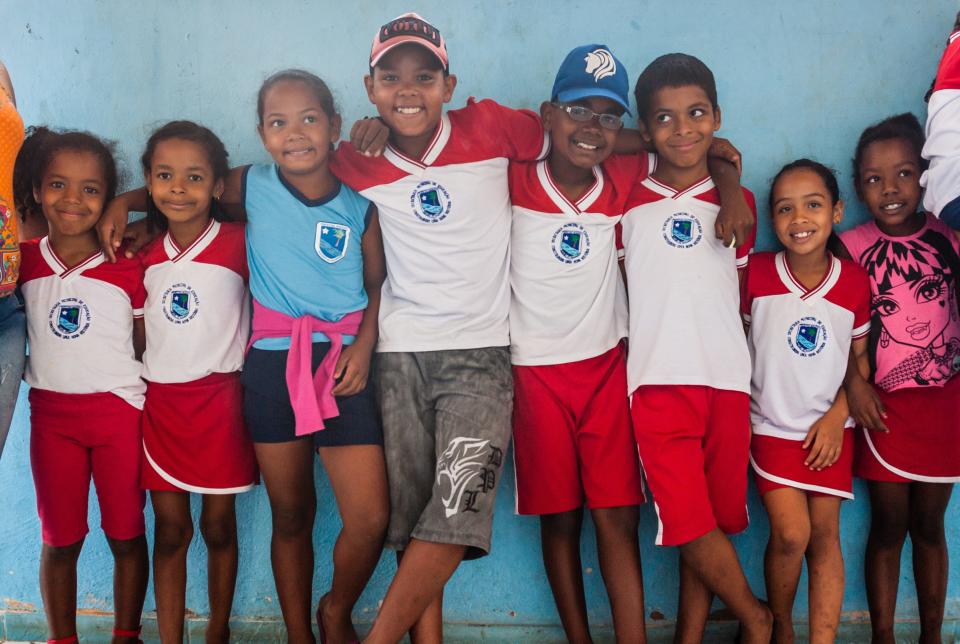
[924, 439]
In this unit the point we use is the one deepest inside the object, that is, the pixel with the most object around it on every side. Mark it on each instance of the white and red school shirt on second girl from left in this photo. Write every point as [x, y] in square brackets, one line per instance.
[197, 312]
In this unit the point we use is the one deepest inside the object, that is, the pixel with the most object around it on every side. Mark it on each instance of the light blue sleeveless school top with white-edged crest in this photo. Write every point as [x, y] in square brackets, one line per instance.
[303, 254]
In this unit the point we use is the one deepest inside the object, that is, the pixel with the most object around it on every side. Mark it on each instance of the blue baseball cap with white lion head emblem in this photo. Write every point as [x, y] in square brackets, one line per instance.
[591, 70]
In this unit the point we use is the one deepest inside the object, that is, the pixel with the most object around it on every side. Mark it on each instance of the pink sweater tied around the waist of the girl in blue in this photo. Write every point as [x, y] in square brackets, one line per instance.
[310, 396]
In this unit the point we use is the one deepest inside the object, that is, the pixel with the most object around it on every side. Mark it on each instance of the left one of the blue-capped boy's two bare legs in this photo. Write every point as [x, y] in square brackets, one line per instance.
[560, 542]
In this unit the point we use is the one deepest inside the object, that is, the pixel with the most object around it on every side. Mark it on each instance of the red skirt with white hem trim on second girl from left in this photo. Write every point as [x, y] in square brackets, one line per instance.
[194, 438]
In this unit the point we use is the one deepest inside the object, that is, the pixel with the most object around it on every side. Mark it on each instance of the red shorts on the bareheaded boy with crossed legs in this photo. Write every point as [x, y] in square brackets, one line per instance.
[694, 449]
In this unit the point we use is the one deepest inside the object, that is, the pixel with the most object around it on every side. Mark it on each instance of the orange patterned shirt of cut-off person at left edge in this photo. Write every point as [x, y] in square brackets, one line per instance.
[11, 138]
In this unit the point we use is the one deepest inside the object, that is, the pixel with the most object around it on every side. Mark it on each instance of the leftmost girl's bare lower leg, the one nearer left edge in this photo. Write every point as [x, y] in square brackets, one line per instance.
[58, 586]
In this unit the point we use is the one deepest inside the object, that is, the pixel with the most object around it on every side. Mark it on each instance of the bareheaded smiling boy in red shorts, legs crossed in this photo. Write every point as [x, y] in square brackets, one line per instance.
[688, 368]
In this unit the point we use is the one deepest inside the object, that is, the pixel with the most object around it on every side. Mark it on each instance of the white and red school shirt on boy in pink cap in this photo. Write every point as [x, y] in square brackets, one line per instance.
[446, 227]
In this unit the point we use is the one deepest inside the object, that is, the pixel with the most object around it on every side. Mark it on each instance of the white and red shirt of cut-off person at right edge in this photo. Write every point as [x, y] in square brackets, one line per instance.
[942, 148]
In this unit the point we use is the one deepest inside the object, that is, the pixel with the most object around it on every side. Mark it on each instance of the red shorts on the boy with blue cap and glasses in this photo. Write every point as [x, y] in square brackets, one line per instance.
[572, 440]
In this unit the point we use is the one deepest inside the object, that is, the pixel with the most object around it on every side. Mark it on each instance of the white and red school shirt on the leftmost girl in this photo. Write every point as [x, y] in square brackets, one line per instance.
[80, 322]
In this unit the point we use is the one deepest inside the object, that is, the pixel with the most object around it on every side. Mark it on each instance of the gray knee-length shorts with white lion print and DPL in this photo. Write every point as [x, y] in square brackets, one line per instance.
[446, 427]
